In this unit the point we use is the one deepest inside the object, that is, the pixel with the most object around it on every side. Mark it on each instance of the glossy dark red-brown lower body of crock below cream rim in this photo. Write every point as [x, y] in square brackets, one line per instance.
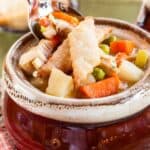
[31, 131]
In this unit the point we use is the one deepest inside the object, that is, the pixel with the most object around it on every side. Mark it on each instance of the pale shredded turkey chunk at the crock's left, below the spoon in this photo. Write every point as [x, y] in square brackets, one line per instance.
[36, 56]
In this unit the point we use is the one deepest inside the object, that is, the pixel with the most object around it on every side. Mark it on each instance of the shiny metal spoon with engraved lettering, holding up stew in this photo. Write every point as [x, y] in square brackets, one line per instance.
[41, 8]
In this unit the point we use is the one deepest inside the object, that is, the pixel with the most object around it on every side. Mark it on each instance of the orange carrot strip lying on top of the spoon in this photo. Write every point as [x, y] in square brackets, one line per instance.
[66, 17]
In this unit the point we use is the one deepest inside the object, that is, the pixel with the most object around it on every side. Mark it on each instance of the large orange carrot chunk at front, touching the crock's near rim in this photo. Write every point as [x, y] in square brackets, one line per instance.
[102, 88]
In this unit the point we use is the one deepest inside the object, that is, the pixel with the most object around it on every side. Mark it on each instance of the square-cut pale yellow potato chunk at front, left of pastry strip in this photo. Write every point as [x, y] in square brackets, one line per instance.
[59, 84]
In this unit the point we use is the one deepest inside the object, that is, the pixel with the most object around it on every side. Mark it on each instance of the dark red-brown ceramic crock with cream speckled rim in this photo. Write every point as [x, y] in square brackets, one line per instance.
[39, 121]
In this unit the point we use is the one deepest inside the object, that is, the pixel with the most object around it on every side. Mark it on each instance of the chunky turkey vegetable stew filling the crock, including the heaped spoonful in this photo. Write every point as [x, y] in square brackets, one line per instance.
[89, 62]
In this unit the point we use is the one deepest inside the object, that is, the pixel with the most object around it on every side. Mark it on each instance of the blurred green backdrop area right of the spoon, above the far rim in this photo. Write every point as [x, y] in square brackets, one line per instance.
[121, 9]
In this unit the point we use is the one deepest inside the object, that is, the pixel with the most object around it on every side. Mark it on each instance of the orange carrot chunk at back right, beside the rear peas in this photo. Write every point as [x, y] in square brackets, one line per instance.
[124, 46]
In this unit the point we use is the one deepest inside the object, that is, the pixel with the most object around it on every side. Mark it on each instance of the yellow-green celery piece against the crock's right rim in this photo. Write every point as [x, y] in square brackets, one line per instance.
[141, 58]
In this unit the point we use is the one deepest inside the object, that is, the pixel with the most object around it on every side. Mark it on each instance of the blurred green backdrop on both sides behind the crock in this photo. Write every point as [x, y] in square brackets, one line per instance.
[121, 9]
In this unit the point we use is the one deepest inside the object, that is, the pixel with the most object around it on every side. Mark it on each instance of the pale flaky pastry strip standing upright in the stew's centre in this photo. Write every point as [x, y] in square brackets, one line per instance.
[84, 50]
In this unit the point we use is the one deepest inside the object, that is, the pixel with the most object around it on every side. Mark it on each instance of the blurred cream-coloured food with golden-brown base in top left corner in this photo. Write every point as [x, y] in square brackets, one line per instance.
[13, 14]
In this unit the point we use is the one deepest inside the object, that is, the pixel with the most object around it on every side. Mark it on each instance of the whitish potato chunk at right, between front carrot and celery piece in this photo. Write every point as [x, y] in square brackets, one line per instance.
[130, 72]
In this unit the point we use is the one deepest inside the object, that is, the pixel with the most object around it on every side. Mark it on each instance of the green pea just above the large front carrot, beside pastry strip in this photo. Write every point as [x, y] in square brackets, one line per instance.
[99, 74]
